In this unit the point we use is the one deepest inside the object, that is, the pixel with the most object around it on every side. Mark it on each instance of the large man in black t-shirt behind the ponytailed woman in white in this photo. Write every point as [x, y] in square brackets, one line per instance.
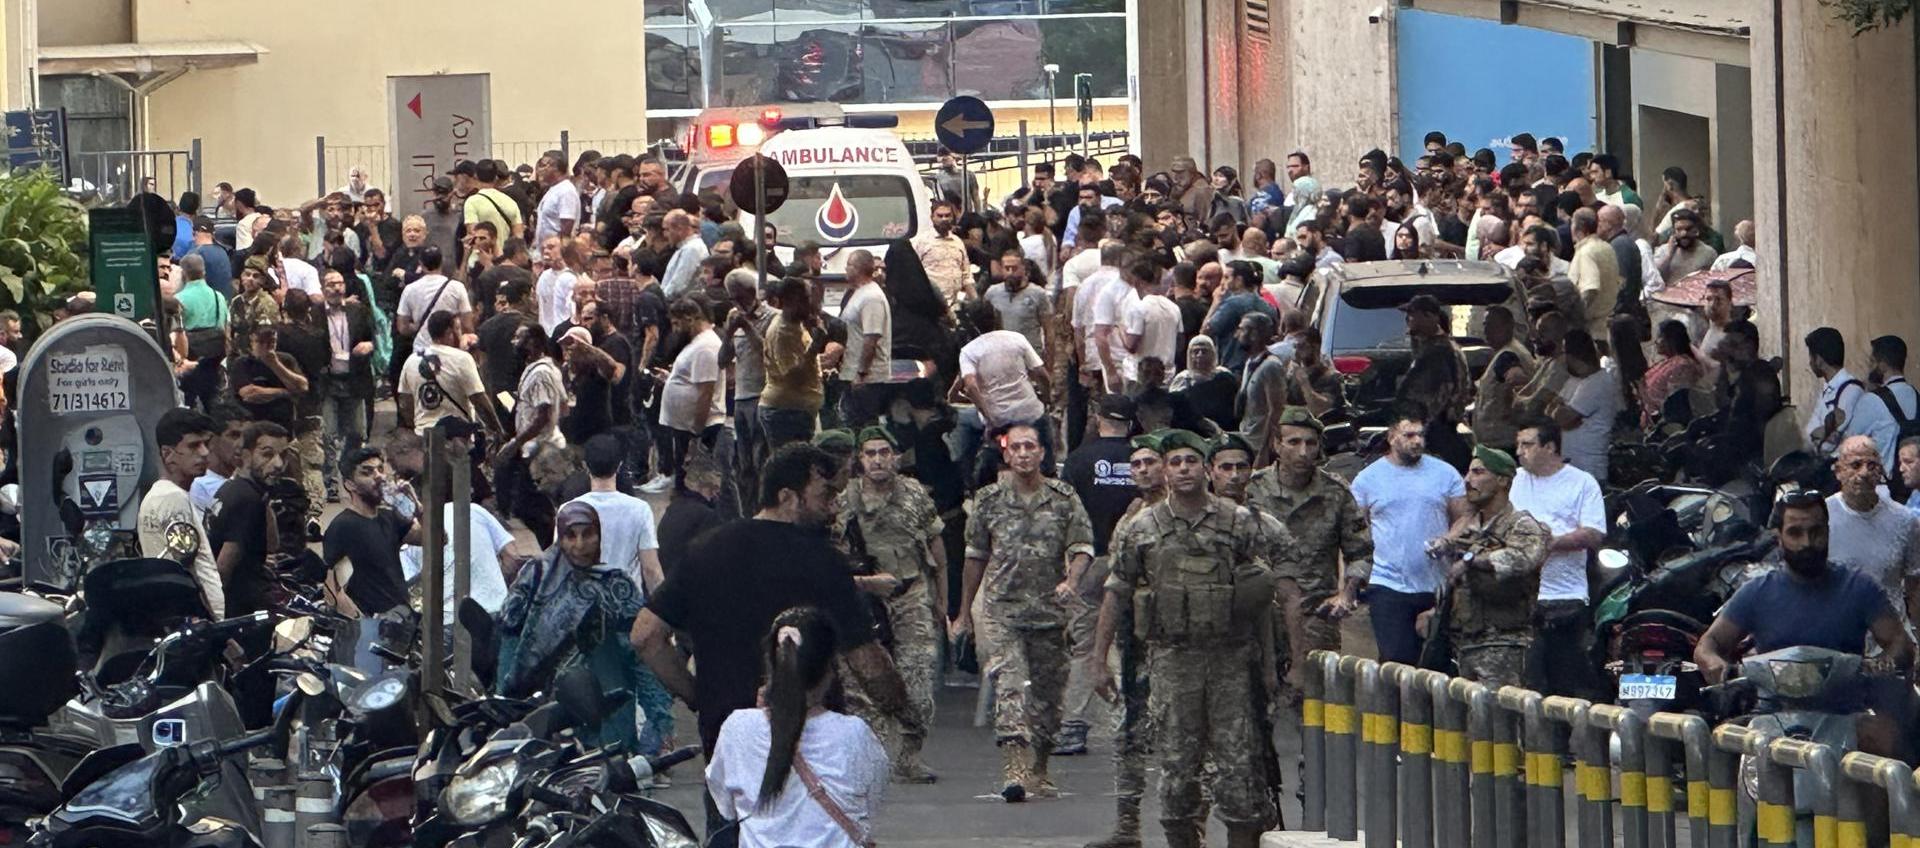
[731, 590]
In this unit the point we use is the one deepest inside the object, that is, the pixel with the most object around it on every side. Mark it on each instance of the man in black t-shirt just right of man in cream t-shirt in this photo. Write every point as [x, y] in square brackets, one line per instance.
[241, 527]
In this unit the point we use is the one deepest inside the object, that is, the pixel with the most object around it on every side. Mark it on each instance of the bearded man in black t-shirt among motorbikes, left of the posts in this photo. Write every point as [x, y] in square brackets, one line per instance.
[362, 548]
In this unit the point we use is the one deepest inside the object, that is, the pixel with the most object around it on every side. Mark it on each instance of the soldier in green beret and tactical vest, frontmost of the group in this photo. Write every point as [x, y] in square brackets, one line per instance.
[1195, 573]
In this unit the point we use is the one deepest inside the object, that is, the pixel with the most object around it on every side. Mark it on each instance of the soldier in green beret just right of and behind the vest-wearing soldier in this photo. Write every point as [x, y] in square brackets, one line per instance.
[1328, 527]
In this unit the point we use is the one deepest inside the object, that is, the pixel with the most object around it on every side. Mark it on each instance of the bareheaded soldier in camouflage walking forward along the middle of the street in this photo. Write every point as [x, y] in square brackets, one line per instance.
[1028, 544]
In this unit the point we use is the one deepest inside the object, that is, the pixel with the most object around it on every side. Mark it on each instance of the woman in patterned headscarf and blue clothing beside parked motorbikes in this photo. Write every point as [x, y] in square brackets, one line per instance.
[569, 609]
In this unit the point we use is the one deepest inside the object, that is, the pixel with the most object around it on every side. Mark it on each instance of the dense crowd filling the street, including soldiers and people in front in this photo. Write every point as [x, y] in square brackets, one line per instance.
[1078, 436]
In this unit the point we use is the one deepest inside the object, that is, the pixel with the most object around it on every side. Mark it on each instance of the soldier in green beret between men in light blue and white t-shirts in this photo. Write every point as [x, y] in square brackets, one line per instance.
[1493, 557]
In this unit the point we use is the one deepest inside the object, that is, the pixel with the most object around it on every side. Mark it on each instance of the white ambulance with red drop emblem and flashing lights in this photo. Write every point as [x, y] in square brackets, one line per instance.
[852, 185]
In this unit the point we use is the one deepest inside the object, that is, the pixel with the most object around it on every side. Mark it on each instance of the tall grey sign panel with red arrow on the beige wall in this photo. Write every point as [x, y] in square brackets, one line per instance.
[433, 124]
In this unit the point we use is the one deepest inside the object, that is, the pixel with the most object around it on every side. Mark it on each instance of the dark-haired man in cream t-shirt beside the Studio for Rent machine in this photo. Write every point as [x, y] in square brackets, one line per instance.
[183, 436]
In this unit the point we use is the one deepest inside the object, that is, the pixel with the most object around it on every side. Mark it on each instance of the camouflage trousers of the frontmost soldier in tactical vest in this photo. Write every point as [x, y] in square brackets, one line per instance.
[1203, 711]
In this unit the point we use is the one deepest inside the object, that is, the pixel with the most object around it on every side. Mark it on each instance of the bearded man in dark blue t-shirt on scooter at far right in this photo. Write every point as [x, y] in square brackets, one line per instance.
[1812, 603]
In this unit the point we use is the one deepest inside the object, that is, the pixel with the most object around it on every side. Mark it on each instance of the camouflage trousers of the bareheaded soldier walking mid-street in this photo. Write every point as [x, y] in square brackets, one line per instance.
[1028, 669]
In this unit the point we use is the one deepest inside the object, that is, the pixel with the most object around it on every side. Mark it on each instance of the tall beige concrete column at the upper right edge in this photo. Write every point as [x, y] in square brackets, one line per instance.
[1850, 218]
